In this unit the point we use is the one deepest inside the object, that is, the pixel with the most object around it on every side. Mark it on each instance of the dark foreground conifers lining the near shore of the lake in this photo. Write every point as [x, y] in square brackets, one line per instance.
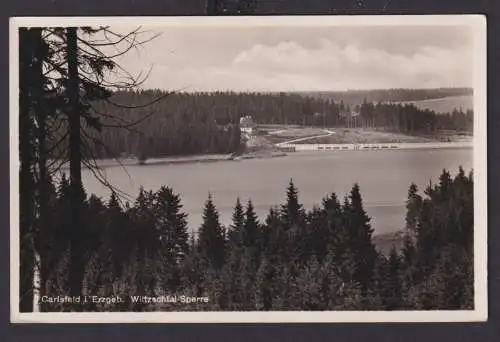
[297, 259]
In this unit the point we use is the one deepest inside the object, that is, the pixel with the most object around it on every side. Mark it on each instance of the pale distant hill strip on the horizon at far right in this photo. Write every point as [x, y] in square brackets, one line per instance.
[354, 97]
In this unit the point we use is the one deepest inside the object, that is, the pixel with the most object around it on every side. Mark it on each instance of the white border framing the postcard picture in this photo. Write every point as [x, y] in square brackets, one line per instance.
[480, 313]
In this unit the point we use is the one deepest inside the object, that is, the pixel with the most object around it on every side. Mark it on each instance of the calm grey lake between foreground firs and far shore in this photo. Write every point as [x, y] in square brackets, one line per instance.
[383, 176]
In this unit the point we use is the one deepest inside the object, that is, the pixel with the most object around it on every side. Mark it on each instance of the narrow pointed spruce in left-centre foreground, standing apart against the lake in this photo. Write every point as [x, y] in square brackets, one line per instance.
[211, 241]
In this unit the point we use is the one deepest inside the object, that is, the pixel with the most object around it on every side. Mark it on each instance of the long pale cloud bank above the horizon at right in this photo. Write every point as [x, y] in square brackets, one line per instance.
[352, 66]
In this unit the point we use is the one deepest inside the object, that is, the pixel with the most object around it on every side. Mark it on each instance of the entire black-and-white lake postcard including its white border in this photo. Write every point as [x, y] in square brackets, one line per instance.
[248, 169]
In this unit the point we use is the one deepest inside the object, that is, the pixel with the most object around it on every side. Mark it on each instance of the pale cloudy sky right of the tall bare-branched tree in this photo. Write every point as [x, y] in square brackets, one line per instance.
[291, 58]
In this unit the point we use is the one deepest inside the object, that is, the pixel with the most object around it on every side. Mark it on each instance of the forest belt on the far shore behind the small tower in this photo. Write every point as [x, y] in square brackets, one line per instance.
[202, 123]
